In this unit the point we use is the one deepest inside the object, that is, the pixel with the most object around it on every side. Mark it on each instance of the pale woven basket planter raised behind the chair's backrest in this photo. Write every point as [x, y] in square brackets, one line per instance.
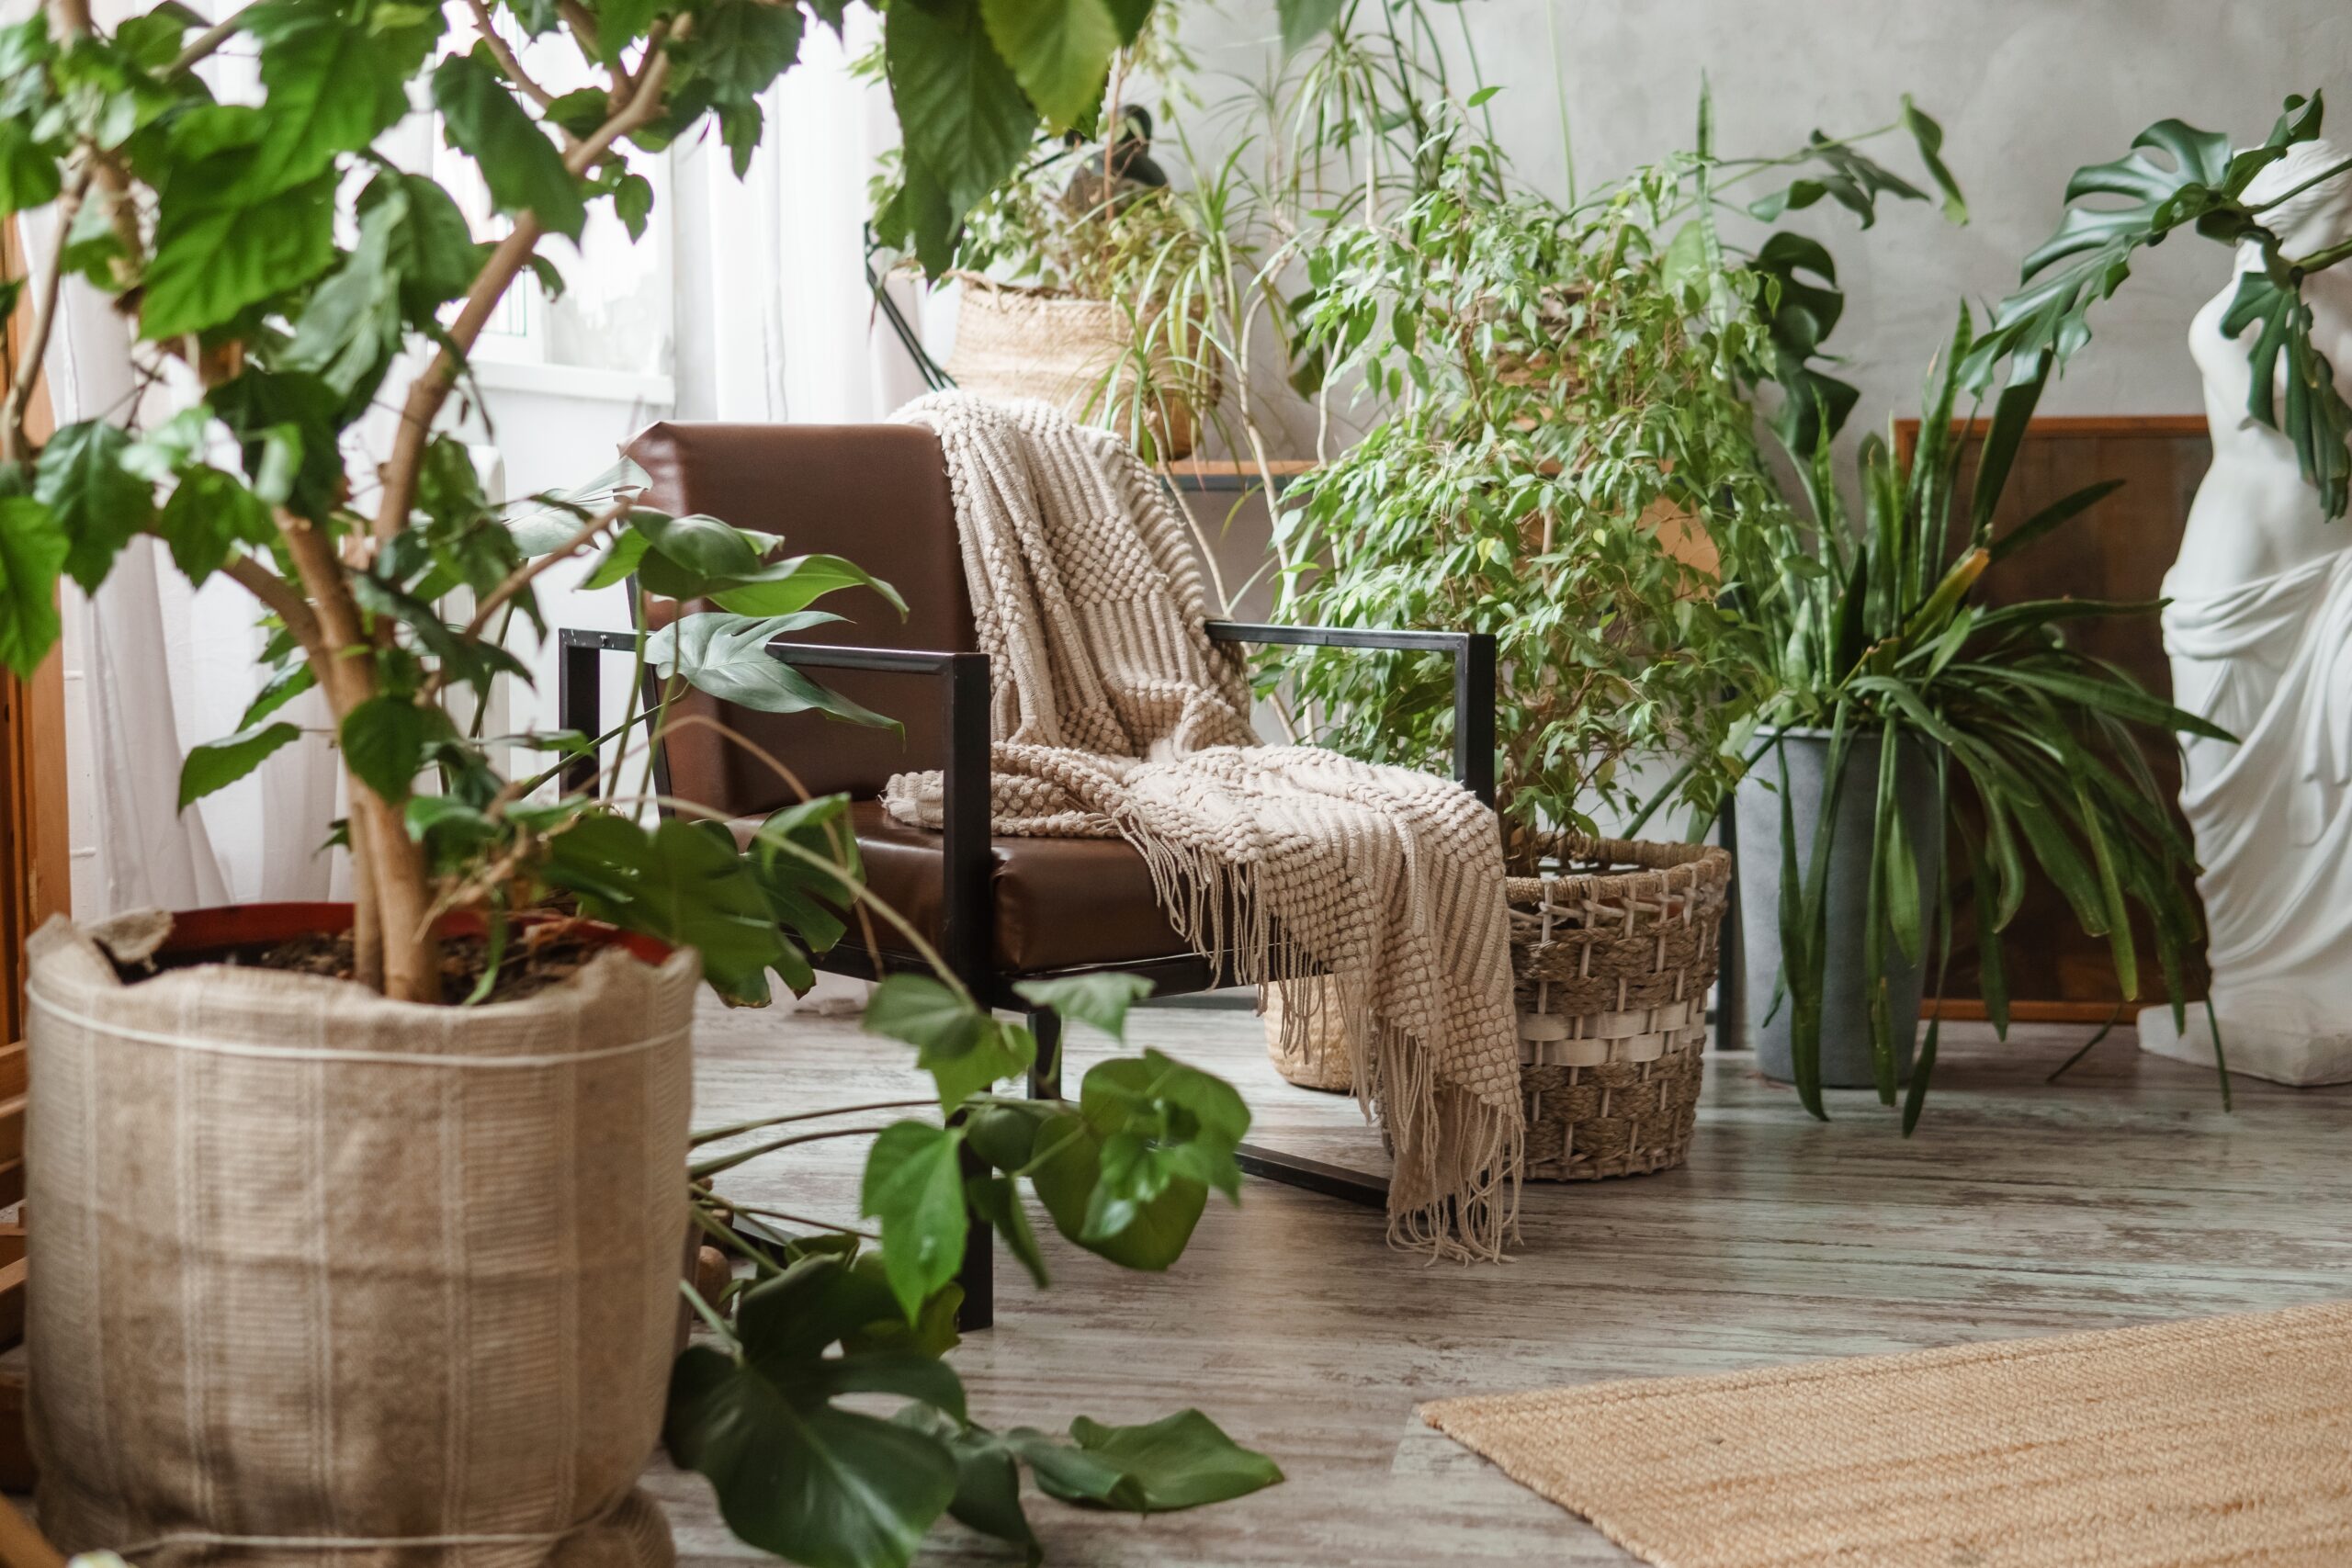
[1076, 354]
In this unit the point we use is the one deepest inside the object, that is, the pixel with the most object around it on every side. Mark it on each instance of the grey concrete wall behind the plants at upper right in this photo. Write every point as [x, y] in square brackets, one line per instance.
[2026, 93]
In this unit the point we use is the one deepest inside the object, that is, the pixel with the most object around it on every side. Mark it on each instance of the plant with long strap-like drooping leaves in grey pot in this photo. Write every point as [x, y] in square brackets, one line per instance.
[1871, 626]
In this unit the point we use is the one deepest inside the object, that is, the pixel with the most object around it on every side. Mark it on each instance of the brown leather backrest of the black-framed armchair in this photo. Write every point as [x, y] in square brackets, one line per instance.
[874, 495]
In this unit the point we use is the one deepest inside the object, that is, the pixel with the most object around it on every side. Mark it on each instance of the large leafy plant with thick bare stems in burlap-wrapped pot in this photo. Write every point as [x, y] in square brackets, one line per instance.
[286, 269]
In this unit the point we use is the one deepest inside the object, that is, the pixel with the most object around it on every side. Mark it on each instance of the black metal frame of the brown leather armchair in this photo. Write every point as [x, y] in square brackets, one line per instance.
[968, 906]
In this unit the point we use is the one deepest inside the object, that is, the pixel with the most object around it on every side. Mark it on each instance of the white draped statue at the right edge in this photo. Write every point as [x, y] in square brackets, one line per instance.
[2259, 634]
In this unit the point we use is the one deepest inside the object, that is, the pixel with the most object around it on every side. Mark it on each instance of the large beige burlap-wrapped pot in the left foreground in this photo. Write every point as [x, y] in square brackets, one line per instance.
[321, 1278]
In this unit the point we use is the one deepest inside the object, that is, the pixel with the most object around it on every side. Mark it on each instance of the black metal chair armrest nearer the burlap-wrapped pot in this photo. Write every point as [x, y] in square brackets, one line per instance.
[965, 789]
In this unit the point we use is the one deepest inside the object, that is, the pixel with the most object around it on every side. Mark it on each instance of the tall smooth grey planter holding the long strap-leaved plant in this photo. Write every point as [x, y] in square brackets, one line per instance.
[1845, 1024]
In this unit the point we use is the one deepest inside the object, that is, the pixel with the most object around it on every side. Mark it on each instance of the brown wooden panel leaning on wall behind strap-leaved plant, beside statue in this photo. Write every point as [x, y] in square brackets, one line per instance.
[2118, 551]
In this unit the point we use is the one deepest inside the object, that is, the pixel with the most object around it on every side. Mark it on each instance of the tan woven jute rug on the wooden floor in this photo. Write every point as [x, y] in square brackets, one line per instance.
[2184, 1445]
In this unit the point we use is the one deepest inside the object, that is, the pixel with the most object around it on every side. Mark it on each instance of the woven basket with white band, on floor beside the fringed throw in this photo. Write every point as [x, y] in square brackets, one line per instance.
[1612, 963]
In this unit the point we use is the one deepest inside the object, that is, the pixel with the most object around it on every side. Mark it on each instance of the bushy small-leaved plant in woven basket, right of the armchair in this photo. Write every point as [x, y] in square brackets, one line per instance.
[1565, 431]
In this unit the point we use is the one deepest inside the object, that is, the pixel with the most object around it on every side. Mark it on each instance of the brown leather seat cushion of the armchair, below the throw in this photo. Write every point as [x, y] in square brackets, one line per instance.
[1062, 904]
